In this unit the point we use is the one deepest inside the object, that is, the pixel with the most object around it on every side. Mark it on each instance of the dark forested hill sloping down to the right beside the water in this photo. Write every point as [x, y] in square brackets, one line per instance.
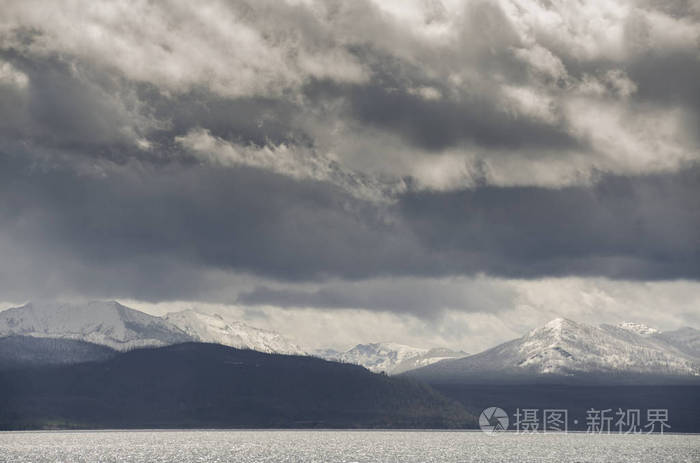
[208, 385]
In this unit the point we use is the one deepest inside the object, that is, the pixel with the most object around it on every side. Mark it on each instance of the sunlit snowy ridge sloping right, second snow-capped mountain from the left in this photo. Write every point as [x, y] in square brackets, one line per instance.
[215, 328]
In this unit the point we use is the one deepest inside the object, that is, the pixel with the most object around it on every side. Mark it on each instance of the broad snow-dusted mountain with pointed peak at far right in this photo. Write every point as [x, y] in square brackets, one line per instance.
[566, 348]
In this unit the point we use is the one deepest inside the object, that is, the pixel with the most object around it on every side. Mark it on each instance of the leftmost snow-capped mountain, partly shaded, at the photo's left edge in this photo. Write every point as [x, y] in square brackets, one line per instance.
[106, 323]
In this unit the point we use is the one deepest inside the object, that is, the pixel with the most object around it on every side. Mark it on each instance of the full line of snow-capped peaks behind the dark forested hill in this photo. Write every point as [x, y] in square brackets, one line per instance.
[560, 349]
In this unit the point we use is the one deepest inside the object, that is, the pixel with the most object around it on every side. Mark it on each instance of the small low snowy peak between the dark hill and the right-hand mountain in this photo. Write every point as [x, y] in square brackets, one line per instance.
[391, 358]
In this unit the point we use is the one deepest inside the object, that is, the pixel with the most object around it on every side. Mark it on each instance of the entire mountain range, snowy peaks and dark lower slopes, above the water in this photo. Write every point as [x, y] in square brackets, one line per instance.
[102, 364]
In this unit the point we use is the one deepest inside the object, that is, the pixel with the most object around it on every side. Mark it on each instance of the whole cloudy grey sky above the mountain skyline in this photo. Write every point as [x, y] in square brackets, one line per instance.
[438, 173]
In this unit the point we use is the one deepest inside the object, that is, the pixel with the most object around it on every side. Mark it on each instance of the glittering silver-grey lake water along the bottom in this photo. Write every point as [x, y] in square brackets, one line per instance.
[341, 446]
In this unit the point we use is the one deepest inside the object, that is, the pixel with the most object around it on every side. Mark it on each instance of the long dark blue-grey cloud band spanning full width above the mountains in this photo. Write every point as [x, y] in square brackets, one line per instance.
[149, 227]
